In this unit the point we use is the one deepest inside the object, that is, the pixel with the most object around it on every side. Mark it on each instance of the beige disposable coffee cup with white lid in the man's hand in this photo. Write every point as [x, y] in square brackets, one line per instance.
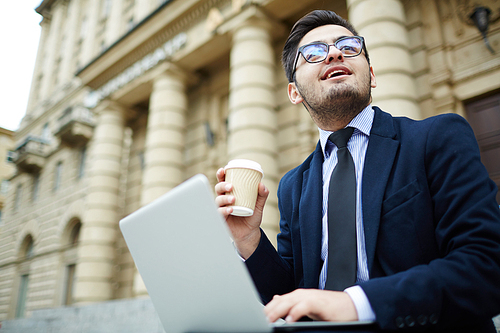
[245, 175]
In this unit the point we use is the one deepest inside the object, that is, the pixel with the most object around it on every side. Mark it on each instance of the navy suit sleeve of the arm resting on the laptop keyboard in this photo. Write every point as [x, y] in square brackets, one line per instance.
[461, 286]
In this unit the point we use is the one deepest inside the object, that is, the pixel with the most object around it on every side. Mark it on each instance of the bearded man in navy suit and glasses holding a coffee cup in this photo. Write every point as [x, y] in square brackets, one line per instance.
[427, 224]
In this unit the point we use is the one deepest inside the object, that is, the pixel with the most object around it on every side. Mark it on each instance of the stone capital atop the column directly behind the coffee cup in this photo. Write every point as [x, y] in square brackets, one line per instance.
[252, 15]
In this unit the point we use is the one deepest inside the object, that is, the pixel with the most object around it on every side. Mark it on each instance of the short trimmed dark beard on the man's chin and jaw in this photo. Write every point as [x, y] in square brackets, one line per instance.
[339, 104]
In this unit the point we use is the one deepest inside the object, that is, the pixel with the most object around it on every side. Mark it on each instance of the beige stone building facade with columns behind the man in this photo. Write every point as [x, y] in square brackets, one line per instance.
[131, 97]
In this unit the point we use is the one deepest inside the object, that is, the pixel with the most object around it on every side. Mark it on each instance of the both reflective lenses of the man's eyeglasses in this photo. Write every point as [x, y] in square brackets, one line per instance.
[318, 51]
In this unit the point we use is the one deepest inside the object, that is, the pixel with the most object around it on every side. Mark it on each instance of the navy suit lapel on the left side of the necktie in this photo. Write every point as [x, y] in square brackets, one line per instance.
[310, 215]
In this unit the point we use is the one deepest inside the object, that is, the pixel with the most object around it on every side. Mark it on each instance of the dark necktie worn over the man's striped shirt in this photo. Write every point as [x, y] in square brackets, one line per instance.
[342, 257]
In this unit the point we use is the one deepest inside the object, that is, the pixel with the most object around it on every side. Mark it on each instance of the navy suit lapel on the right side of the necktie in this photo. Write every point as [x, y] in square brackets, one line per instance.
[382, 148]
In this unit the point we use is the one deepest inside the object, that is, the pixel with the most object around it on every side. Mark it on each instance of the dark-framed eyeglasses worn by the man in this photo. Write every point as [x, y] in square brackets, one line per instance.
[350, 46]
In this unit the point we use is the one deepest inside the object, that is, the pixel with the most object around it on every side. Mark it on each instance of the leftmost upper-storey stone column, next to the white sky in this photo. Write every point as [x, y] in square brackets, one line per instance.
[52, 51]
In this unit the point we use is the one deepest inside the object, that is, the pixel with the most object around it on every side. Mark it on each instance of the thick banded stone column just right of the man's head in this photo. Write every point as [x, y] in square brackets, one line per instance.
[382, 23]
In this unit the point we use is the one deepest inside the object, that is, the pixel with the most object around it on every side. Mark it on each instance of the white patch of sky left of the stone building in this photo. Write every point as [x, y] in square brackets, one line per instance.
[19, 35]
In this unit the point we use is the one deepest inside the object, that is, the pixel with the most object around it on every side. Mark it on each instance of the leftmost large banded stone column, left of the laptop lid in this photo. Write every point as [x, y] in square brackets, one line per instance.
[94, 270]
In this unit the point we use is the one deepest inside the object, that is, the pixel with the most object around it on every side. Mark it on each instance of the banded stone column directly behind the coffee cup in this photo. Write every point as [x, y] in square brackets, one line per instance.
[252, 116]
